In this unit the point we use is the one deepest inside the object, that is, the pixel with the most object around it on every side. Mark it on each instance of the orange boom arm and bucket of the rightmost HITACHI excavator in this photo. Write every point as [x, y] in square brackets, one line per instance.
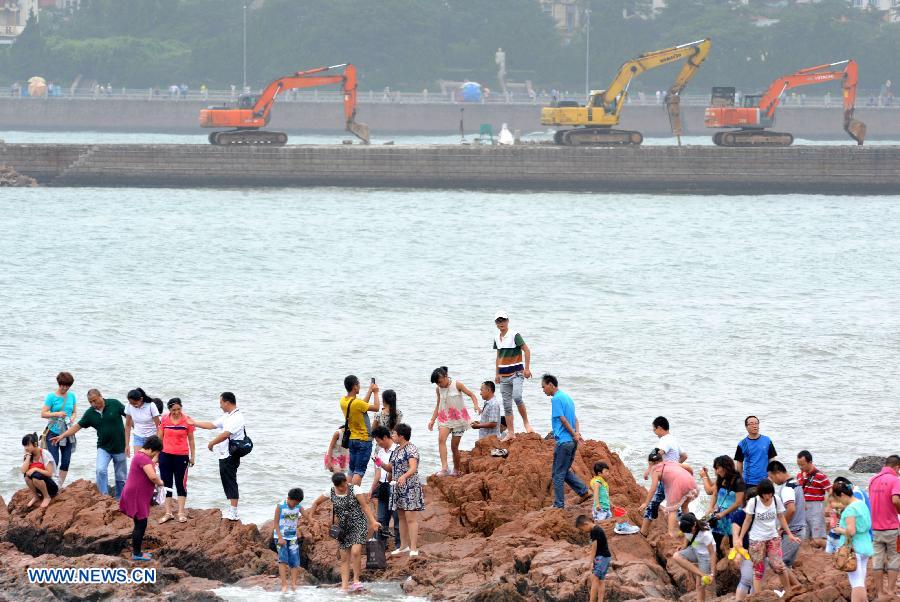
[820, 74]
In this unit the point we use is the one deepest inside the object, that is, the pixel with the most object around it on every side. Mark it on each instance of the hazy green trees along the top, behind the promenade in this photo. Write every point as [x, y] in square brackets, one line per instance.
[410, 44]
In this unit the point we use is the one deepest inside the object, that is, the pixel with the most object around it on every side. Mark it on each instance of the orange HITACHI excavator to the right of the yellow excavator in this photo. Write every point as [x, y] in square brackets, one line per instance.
[758, 110]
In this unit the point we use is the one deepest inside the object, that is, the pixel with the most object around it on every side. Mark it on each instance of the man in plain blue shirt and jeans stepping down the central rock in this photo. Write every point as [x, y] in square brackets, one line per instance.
[567, 435]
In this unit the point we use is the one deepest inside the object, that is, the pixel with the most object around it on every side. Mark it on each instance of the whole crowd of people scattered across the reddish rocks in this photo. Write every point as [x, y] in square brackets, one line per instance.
[757, 513]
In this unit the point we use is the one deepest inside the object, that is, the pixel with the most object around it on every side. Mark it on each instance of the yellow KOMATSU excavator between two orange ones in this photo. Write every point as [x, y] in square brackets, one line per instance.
[593, 122]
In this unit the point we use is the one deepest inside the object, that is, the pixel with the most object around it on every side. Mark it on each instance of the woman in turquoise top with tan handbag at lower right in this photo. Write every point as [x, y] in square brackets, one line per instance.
[855, 529]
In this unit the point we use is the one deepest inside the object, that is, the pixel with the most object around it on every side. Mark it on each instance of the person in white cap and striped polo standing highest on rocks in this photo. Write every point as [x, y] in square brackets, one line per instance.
[513, 366]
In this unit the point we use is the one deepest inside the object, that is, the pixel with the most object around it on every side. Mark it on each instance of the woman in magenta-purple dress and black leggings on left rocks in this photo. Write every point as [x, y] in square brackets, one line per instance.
[138, 492]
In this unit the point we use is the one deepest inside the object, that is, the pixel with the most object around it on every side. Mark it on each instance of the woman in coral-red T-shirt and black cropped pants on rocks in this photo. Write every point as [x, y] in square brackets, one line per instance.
[177, 434]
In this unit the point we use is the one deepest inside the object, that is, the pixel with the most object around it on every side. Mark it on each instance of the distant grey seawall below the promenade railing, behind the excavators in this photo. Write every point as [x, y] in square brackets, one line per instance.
[133, 115]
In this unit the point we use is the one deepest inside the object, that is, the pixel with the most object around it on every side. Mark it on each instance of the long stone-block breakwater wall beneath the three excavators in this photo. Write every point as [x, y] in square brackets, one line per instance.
[847, 170]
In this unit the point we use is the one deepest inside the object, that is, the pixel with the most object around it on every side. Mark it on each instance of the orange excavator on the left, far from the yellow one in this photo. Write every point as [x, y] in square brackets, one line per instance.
[253, 111]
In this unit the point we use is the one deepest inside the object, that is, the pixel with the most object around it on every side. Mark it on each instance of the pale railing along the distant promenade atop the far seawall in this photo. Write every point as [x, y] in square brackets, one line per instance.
[865, 98]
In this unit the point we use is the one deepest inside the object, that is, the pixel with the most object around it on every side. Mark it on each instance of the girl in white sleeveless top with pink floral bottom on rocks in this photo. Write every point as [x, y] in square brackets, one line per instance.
[451, 415]
